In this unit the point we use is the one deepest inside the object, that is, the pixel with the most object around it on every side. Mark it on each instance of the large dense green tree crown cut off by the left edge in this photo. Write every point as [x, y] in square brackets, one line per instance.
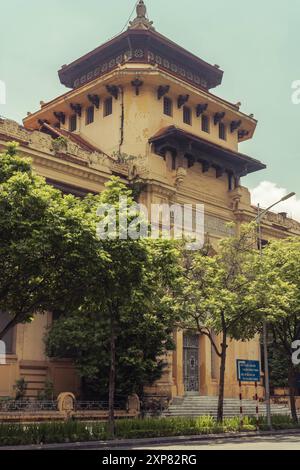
[48, 244]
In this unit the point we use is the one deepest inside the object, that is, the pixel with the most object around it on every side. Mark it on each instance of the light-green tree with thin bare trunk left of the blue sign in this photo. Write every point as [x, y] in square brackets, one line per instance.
[224, 295]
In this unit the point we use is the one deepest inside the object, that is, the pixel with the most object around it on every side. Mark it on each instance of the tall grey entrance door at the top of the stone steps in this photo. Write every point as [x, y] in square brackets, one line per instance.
[191, 363]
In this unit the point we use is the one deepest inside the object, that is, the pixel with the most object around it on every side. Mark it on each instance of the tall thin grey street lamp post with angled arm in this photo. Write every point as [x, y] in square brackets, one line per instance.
[258, 219]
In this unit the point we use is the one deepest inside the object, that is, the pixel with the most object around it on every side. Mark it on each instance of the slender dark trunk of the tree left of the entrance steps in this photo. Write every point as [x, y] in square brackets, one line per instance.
[112, 381]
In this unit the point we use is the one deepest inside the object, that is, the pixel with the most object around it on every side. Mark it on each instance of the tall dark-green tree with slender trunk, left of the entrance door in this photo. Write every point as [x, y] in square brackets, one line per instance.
[123, 332]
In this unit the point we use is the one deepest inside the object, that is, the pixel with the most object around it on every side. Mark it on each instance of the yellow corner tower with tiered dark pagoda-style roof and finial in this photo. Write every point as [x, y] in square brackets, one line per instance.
[142, 95]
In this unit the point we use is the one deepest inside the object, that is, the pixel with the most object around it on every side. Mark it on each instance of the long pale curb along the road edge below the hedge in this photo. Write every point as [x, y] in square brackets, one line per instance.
[107, 445]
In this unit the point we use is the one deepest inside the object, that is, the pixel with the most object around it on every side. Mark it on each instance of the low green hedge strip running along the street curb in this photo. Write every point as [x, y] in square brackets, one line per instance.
[73, 431]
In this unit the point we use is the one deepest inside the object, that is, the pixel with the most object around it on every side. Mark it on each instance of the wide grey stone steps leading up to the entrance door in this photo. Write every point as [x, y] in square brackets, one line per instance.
[194, 406]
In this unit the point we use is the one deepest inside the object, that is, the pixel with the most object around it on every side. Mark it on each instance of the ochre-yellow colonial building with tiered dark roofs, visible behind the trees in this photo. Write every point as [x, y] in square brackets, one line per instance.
[143, 108]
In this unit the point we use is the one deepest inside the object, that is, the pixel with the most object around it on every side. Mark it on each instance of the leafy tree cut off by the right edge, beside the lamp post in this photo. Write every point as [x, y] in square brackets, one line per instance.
[281, 261]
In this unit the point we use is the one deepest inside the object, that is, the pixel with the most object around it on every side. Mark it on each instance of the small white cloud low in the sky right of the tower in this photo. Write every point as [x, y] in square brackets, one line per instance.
[266, 193]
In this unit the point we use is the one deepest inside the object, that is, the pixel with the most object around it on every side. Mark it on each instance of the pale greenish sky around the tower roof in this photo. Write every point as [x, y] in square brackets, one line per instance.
[256, 43]
